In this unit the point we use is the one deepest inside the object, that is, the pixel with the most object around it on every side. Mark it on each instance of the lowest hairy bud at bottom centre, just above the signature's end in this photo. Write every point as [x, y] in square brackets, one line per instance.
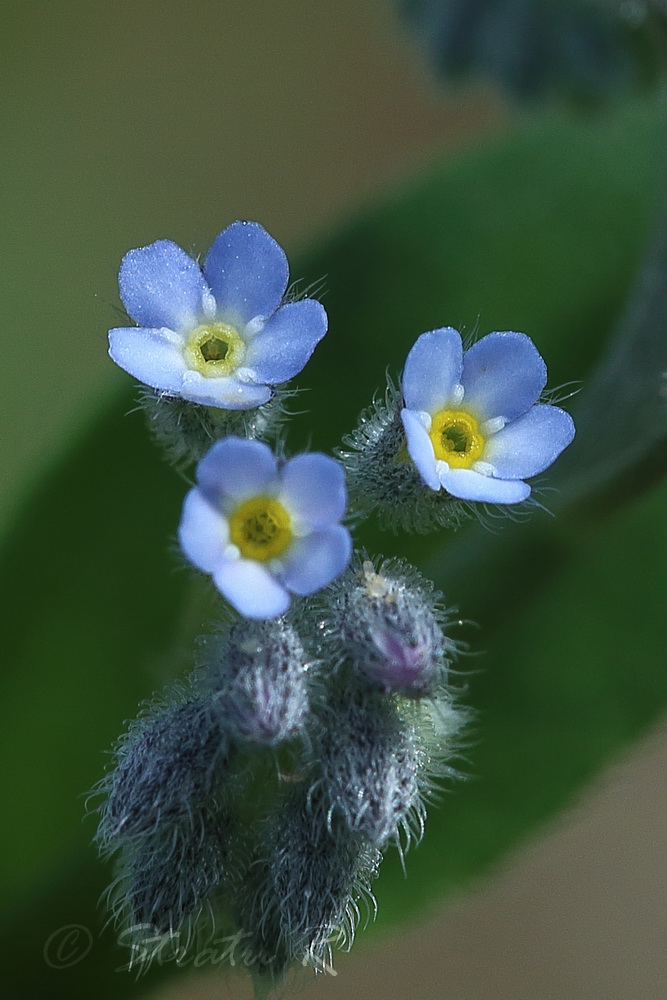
[308, 885]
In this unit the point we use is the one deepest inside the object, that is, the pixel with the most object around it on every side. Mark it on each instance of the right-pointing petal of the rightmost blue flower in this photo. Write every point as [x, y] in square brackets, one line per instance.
[531, 443]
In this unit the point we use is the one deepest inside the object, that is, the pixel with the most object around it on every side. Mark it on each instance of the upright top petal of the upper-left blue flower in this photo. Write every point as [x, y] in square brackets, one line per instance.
[247, 271]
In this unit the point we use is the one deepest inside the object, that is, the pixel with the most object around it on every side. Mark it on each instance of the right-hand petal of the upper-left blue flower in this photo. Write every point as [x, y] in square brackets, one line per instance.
[287, 341]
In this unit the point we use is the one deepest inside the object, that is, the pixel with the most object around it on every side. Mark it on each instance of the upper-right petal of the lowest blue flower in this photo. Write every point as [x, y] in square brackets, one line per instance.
[313, 489]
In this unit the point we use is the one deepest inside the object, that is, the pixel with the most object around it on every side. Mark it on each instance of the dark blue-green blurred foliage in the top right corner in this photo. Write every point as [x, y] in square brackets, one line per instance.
[587, 50]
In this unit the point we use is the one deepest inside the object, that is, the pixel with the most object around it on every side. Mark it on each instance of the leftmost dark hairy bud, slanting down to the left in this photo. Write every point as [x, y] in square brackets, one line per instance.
[167, 767]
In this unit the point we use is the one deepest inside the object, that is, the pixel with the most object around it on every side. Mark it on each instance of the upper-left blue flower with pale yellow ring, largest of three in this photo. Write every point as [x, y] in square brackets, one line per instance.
[216, 335]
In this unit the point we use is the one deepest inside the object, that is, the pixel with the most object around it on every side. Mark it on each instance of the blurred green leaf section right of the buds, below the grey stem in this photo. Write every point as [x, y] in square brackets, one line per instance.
[572, 622]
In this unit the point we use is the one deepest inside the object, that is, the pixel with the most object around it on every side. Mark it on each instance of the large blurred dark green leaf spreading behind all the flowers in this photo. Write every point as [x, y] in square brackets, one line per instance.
[540, 232]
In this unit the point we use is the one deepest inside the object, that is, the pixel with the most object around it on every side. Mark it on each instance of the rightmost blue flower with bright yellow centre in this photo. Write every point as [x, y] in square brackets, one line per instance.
[472, 421]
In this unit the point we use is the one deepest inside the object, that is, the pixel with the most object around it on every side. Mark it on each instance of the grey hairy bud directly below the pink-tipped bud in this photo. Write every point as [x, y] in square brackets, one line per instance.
[370, 756]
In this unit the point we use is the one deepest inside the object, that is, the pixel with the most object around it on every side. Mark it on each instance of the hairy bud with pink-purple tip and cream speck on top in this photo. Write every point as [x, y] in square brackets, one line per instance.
[388, 625]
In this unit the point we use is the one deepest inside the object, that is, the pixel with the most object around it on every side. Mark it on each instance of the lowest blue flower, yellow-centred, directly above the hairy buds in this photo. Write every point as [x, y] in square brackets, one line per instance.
[262, 531]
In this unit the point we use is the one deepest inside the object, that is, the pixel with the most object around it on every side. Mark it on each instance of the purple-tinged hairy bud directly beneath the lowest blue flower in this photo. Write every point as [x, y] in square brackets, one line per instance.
[258, 679]
